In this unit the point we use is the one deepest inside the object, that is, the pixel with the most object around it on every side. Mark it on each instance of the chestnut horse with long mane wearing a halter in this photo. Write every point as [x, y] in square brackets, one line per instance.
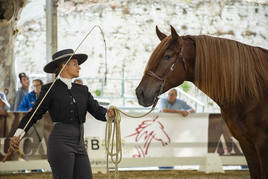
[233, 74]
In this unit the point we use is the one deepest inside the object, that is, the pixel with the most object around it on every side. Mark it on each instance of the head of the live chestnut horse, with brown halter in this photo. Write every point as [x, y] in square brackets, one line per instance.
[170, 64]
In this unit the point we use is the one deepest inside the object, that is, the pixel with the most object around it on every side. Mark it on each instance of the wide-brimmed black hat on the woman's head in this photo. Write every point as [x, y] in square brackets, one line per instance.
[62, 56]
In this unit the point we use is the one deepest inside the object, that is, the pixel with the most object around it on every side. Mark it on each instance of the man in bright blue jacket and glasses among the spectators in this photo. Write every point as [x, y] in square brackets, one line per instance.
[29, 99]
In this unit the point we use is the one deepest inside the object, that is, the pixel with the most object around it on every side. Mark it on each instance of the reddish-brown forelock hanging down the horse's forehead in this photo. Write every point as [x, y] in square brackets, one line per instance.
[157, 53]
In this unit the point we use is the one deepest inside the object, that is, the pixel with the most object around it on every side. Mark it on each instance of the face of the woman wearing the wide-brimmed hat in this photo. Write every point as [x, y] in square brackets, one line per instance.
[71, 70]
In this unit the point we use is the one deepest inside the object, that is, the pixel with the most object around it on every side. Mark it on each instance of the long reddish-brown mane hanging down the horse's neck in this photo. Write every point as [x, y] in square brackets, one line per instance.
[229, 71]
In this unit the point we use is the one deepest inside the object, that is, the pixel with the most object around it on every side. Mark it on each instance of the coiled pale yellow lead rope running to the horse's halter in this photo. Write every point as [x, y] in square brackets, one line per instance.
[113, 145]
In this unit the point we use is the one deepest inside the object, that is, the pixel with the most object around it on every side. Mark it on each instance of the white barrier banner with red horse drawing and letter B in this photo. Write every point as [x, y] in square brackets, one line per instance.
[156, 135]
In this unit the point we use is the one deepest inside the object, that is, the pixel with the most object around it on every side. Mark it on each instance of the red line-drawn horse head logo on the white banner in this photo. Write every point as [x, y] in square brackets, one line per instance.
[147, 131]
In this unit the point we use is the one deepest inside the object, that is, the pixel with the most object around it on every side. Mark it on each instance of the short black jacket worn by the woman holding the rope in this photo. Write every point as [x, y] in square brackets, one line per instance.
[62, 107]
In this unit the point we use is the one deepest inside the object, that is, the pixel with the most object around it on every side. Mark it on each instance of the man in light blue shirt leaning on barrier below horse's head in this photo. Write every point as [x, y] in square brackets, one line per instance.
[174, 105]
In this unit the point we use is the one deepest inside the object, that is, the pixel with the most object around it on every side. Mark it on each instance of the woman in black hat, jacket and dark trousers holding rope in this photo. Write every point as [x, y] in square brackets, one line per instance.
[67, 104]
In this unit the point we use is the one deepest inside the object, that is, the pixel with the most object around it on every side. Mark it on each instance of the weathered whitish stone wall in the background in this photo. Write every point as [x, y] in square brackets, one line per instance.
[129, 28]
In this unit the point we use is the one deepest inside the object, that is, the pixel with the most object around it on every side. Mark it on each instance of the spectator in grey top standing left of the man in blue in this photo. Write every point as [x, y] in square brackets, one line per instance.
[22, 91]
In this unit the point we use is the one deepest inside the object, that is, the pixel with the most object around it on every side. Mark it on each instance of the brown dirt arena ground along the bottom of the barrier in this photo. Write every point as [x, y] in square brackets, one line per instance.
[167, 174]
